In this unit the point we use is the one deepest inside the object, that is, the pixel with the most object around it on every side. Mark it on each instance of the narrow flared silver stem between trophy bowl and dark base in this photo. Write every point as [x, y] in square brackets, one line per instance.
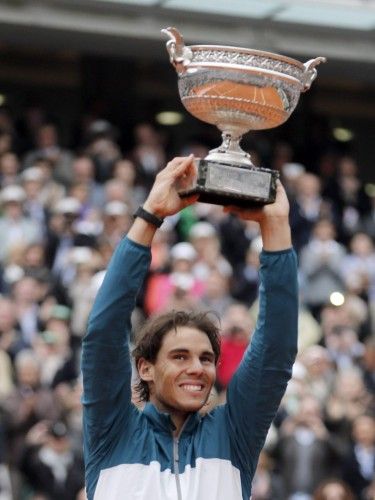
[230, 150]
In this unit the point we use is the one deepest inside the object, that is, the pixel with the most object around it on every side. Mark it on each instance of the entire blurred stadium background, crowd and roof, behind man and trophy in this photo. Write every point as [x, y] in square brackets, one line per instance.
[89, 113]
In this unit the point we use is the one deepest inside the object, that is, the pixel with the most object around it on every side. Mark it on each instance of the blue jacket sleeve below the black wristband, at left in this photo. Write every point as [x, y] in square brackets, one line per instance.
[106, 363]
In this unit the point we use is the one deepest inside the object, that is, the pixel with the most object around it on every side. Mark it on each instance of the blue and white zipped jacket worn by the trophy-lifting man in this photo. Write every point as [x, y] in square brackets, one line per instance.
[132, 454]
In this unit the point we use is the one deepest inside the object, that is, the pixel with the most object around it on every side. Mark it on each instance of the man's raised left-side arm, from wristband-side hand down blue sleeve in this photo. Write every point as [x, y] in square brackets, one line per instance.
[106, 365]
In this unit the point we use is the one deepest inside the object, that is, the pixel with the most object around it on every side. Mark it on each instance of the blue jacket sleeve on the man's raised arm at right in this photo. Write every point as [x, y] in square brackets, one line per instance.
[256, 389]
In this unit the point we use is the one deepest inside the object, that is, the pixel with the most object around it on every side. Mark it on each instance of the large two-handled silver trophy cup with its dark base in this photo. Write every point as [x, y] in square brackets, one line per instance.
[237, 90]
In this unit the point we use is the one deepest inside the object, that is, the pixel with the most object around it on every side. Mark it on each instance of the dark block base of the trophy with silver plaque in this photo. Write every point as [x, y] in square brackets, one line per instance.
[233, 184]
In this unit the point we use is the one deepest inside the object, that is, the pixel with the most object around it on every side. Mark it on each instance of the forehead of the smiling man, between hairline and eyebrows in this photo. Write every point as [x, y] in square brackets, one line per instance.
[185, 337]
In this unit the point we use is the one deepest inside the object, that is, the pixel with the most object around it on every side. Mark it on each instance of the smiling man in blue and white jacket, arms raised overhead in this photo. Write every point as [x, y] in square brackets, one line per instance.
[169, 451]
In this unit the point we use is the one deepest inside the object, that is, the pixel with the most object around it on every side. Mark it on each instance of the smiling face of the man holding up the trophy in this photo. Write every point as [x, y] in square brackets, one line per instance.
[184, 372]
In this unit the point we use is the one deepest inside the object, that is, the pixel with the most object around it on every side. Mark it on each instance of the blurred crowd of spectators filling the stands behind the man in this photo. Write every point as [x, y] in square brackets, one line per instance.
[62, 213]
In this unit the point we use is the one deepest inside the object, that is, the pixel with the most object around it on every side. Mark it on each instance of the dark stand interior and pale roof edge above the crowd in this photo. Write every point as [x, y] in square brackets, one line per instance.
[84, 58]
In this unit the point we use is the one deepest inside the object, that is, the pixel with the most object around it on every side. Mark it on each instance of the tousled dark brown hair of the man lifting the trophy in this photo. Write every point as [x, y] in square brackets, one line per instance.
[149, 339]
